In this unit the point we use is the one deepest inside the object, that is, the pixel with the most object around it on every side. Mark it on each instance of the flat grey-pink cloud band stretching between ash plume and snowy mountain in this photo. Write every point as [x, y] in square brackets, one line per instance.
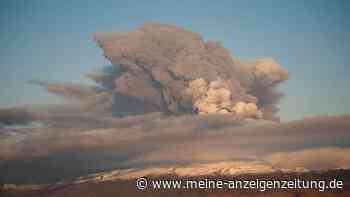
[155, 139]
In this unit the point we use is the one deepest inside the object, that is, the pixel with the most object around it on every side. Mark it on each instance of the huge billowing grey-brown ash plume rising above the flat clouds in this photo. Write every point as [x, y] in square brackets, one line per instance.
[157, 63]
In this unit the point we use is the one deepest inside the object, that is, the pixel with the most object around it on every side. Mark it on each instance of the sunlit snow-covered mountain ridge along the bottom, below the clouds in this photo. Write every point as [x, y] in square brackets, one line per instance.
[231, 168]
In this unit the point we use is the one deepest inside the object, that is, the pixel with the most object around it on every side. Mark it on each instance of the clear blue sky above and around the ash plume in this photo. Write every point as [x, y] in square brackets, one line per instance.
[51, 40]
